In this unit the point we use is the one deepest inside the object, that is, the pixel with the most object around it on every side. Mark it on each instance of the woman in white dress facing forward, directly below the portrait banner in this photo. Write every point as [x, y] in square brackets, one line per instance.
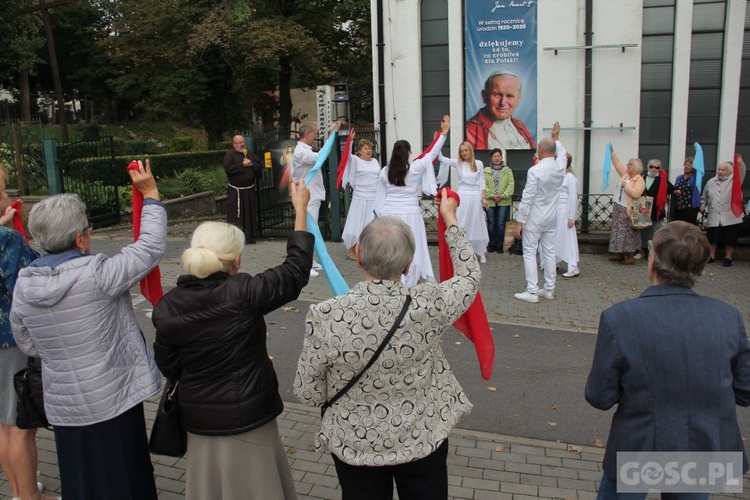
[471, 189]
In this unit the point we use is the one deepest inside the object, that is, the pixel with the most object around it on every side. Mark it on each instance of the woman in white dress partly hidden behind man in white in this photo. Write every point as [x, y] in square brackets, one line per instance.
[566, 243]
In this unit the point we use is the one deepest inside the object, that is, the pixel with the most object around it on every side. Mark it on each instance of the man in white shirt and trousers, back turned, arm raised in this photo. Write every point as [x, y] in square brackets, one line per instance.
[537, 216]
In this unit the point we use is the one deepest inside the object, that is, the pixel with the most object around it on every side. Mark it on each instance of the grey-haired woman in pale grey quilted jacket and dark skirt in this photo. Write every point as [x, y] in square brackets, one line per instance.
[72, 309]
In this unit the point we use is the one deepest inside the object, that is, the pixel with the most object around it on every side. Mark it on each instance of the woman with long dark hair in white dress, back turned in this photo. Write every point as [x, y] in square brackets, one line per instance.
[398, 194]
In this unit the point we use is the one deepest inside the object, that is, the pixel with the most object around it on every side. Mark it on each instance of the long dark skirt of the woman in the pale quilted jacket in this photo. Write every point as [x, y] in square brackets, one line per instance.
[107, 460]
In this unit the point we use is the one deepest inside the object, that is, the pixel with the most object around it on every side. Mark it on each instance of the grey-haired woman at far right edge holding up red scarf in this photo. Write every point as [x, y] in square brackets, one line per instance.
[716, 202]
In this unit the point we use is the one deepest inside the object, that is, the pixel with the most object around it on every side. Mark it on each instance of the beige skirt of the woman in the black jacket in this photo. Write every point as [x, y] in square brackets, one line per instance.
[247, 466]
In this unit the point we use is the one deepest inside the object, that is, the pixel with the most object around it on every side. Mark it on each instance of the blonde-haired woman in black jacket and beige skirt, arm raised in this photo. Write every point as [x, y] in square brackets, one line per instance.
[211, 336]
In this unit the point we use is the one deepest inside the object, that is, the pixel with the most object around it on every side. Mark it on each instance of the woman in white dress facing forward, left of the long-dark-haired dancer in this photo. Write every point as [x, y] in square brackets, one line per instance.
[361, 174]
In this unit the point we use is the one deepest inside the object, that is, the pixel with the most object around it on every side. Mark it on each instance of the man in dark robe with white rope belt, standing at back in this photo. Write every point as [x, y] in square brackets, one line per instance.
[243, 170]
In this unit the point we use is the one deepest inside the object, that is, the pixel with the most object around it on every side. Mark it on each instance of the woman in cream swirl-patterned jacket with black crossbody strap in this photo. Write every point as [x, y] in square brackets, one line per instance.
[394, 422]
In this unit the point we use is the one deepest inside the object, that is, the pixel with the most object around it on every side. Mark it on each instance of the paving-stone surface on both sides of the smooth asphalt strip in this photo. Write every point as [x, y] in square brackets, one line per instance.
[481, 465]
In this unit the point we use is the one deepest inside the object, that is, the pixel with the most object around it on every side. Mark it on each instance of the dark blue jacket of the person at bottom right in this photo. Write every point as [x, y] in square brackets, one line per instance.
[676, 364]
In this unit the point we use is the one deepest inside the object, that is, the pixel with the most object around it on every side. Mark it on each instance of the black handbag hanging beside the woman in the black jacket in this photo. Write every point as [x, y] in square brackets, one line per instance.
[168, 437]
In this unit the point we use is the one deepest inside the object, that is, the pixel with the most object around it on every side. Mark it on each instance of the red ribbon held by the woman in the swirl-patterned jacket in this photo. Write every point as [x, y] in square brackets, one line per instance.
[473, 323]
